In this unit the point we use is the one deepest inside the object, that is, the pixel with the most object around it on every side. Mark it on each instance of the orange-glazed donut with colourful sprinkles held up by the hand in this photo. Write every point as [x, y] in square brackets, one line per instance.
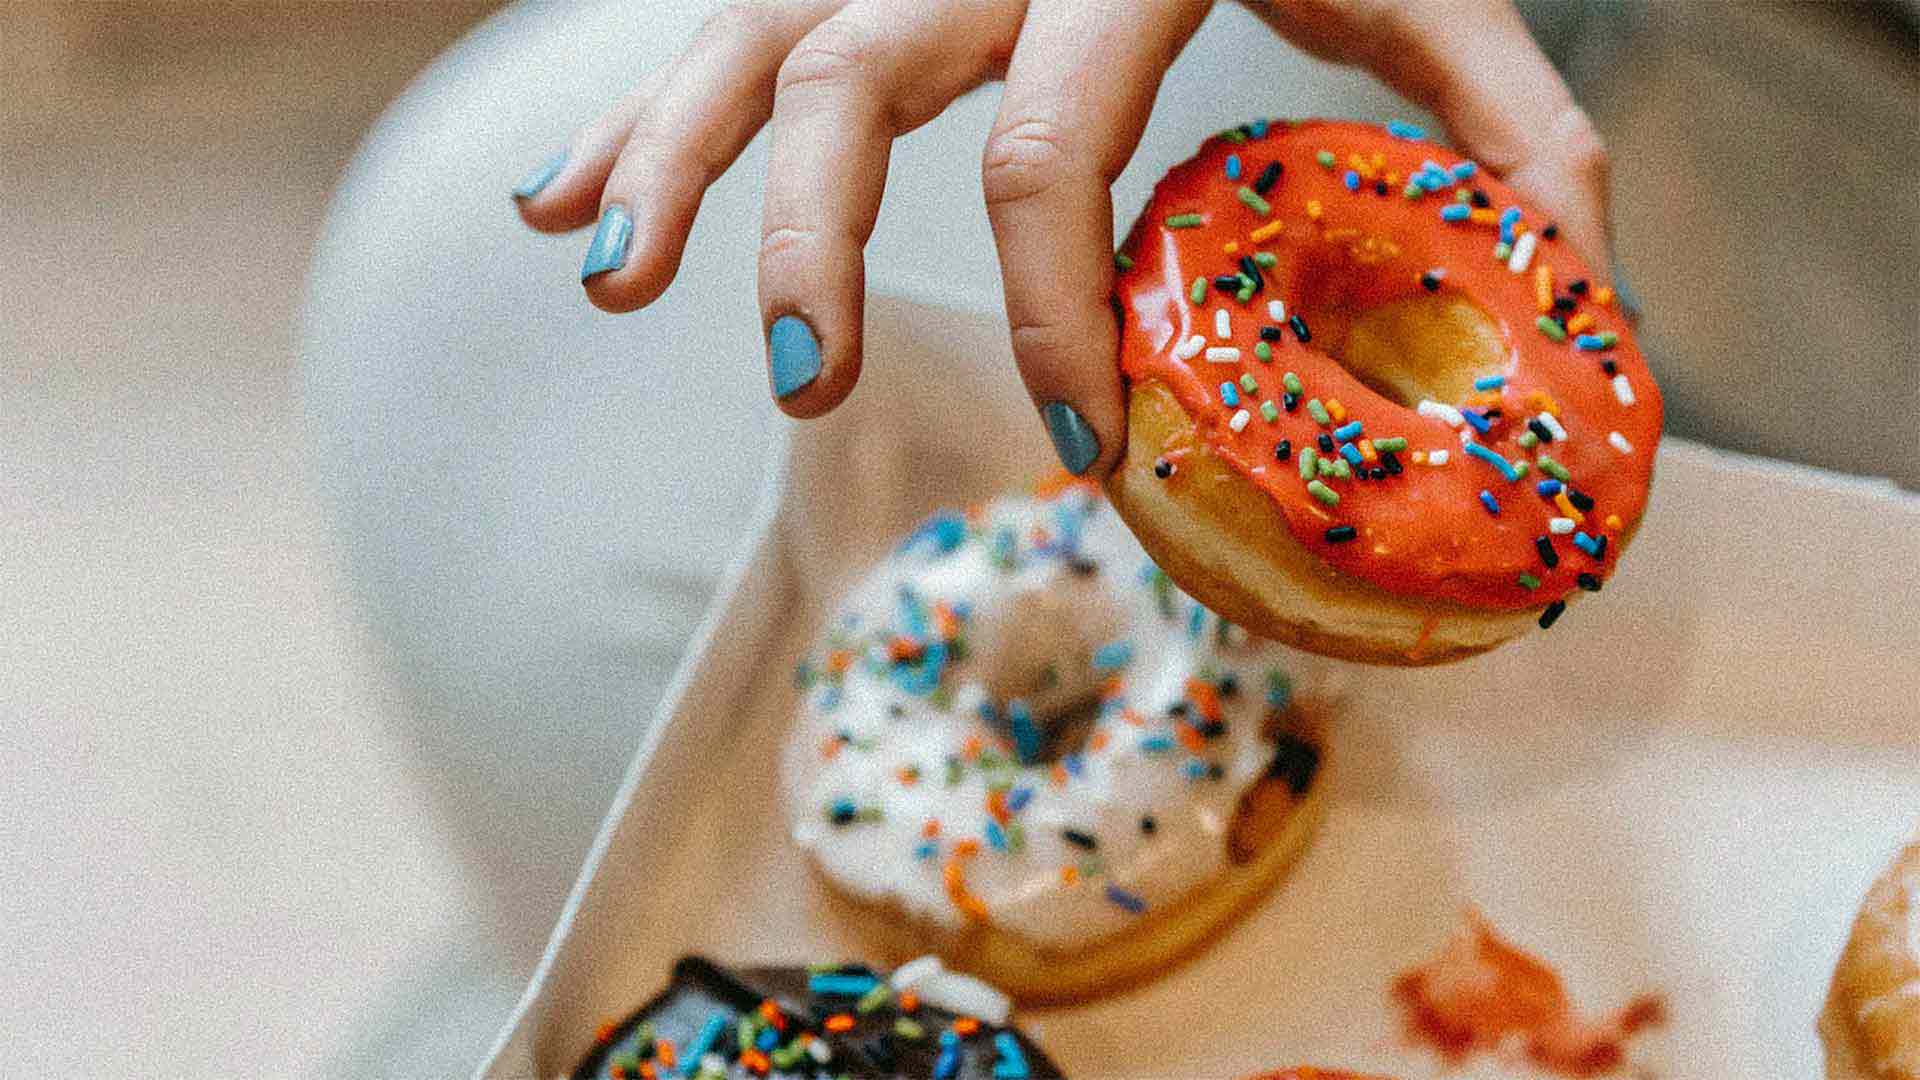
[1376, 406]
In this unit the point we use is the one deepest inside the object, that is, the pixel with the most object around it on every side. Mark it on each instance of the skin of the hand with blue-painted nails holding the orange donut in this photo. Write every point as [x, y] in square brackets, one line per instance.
[840, 80]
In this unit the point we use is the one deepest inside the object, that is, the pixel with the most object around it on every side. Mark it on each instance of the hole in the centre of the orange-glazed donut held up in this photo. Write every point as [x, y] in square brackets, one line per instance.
[1404, 343]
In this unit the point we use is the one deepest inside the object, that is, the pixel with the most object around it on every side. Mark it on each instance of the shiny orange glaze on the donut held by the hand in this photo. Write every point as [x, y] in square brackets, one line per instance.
[1426, 531]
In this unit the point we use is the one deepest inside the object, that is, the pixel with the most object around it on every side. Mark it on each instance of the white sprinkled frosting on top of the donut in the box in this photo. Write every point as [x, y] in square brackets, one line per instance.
[869, 716]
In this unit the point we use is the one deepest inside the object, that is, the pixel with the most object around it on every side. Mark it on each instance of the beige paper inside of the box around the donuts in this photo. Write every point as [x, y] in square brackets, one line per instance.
[1685, 787]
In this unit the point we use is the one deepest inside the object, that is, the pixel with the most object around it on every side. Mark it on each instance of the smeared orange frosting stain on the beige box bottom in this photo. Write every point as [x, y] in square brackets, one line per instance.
[1483, 994]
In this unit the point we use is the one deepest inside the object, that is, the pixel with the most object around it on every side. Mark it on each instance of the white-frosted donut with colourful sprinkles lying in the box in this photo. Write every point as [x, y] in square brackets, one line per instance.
[1028, 741]
